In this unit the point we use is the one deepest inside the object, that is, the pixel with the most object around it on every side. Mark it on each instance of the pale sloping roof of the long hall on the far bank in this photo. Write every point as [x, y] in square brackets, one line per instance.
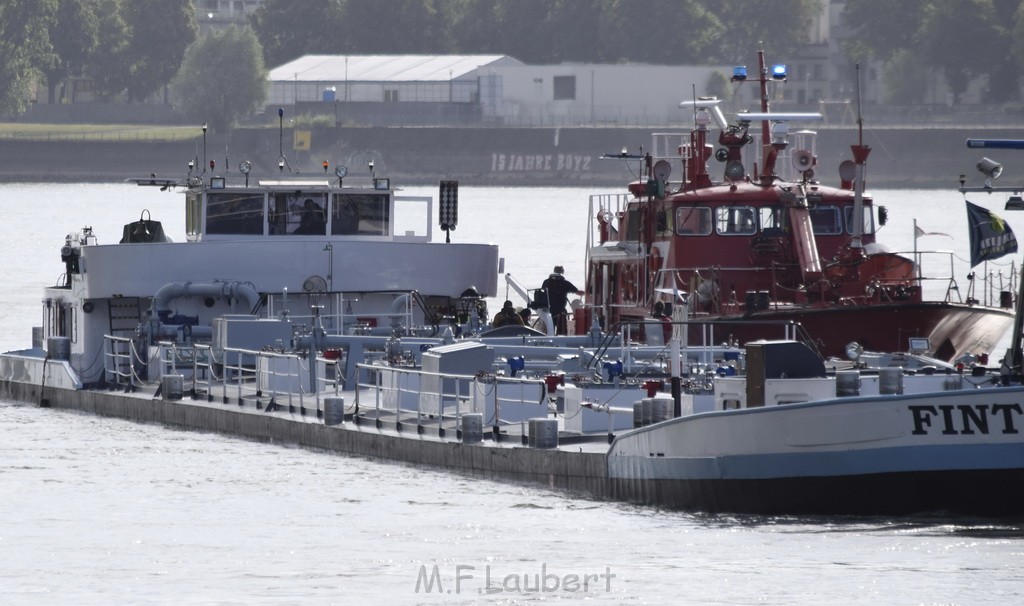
[382, 68]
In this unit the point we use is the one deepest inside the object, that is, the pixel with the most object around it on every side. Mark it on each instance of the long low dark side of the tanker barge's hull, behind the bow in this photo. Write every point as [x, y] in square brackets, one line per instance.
[582, 473]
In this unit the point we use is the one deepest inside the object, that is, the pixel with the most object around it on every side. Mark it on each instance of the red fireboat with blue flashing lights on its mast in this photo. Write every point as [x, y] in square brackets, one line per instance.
[735, 256]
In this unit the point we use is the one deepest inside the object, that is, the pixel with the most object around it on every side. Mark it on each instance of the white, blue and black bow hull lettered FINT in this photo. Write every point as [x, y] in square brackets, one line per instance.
[955, 452]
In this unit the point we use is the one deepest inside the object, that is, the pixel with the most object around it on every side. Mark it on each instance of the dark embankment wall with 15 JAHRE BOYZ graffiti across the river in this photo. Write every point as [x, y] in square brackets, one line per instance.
[928, 157]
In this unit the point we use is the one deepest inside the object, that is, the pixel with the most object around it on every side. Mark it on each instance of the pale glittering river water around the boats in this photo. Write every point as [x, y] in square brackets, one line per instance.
[100, 511]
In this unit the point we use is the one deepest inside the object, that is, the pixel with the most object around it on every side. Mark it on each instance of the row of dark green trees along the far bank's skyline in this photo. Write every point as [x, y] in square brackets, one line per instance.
[134, 50]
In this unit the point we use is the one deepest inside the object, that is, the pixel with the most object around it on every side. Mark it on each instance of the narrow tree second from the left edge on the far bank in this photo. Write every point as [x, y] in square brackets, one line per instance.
[75, 35]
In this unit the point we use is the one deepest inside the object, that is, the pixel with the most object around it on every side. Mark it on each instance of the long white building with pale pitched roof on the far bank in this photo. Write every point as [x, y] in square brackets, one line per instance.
[501, 89]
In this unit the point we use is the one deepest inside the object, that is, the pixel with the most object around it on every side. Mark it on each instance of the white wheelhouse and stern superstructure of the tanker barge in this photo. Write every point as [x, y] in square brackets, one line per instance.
[362, 256]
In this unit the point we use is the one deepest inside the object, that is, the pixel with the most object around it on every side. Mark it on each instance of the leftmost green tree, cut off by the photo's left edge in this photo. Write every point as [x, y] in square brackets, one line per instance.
[24, 46]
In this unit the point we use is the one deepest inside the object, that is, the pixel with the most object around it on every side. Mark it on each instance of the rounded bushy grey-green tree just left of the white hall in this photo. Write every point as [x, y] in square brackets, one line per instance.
[223, 78]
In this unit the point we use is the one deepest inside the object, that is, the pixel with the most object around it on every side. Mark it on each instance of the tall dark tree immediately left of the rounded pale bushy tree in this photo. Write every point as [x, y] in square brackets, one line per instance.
[161, 30]
